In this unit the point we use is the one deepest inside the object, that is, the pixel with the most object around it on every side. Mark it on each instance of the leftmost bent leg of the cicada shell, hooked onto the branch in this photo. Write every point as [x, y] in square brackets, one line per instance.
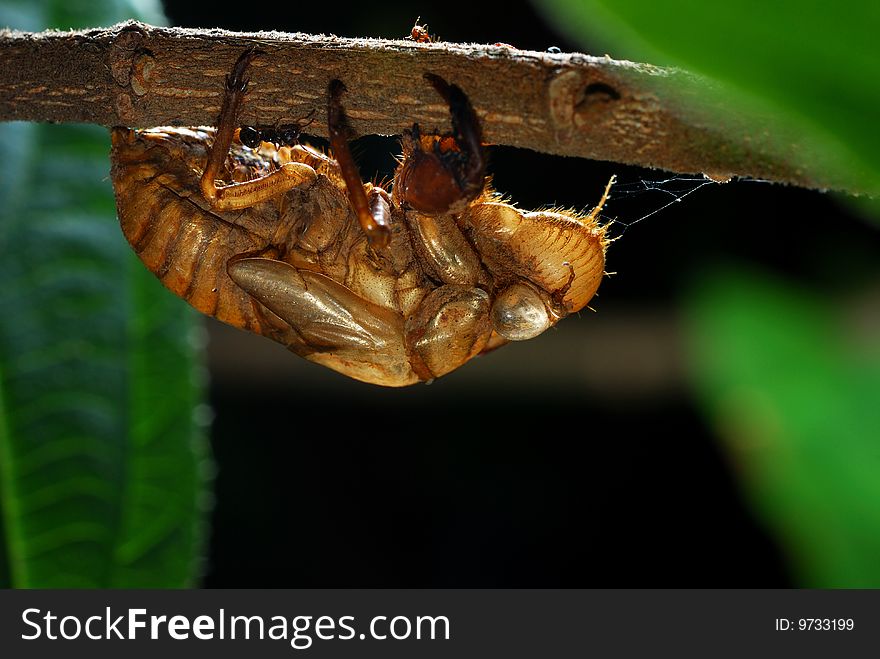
[237, 196]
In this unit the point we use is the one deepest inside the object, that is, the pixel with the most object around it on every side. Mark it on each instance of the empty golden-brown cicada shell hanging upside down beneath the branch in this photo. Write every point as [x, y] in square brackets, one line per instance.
[388, 288]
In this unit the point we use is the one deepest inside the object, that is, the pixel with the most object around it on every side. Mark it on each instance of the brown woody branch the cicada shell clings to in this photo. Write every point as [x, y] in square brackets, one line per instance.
[568, 104]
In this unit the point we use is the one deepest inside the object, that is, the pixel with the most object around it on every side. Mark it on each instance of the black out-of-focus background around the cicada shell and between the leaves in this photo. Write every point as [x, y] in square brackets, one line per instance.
[576, 459]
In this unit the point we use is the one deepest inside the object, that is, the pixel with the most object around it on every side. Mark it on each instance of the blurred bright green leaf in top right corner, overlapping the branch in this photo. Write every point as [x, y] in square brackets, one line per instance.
[816, 65]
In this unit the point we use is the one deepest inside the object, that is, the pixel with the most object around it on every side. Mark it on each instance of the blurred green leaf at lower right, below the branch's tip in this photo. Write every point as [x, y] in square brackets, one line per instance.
[792, 390]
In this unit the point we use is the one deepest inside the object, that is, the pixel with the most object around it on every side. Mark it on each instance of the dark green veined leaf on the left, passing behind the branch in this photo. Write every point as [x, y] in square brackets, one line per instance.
[102, 459]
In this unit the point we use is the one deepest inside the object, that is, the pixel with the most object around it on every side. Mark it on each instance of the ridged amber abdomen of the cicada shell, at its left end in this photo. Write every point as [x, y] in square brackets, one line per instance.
[174, 231]
